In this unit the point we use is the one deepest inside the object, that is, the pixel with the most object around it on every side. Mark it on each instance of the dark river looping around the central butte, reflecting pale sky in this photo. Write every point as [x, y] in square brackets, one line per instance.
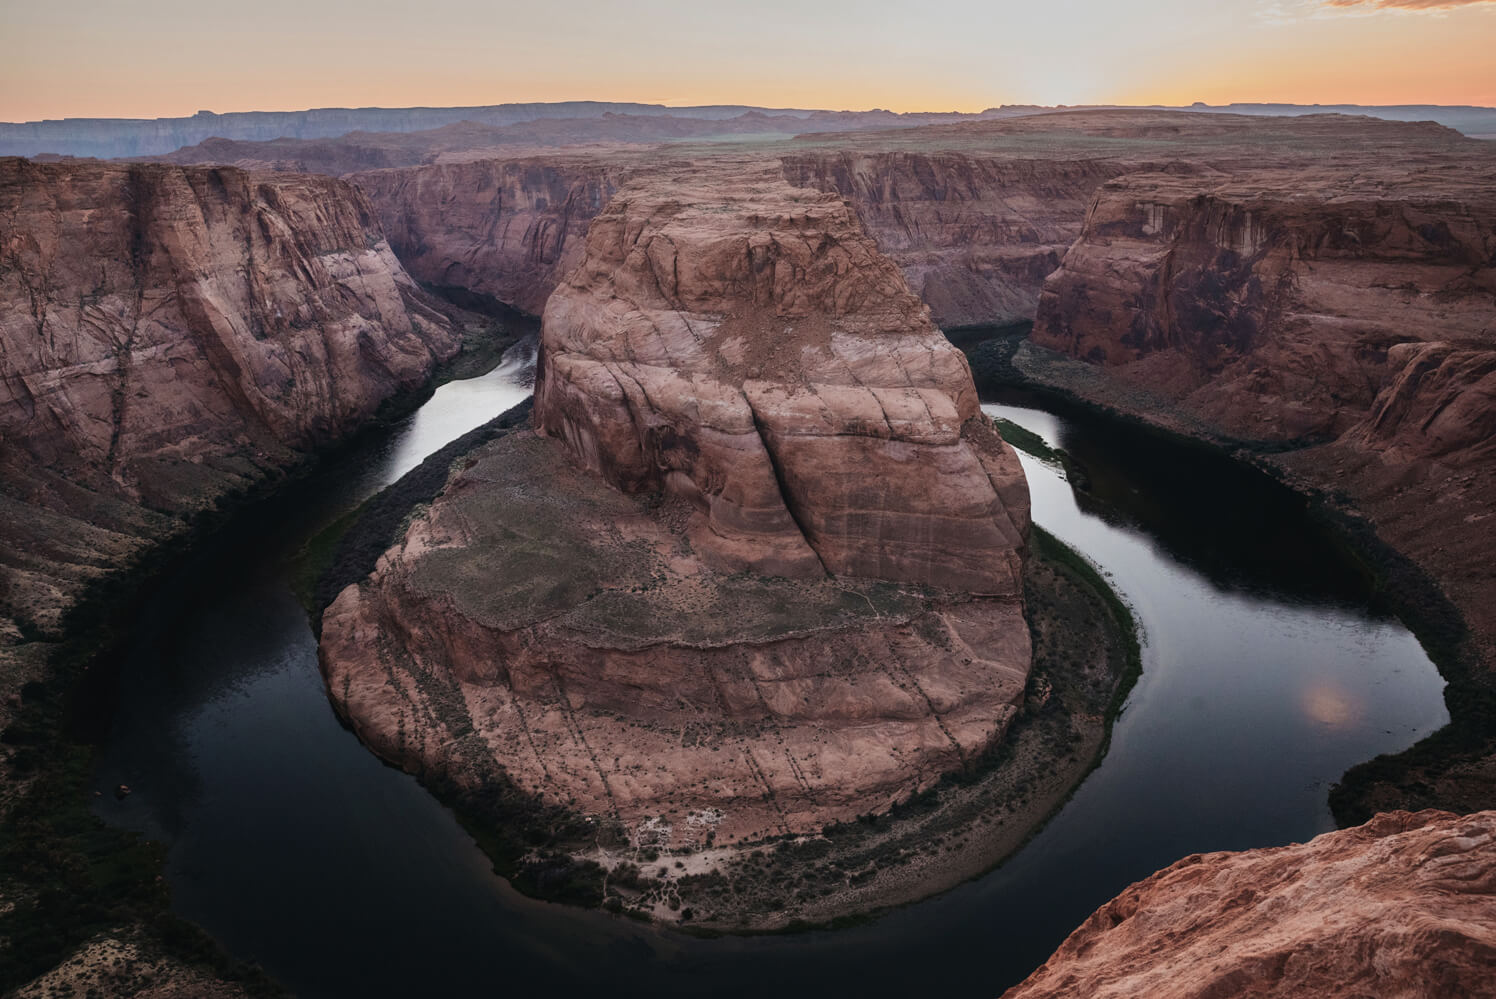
[1268, 672]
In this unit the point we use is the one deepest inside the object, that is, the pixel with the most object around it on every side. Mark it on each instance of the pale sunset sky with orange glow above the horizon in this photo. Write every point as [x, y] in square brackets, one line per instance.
[174, 58]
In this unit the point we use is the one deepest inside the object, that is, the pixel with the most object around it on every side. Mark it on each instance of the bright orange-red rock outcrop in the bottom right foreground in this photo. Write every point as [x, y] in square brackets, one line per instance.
[1401, 907]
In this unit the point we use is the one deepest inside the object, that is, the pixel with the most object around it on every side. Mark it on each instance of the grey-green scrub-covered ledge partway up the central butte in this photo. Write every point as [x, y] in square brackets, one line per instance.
[526, 536]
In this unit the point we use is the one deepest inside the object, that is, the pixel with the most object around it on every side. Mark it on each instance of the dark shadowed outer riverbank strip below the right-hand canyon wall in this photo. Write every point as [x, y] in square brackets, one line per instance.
[1453, 769]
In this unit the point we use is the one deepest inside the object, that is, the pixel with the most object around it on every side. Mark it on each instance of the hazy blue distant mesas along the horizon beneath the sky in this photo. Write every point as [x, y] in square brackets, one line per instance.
[110, 138]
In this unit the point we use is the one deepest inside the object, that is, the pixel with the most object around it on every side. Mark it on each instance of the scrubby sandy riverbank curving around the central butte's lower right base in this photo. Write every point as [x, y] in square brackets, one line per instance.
[1087, 657]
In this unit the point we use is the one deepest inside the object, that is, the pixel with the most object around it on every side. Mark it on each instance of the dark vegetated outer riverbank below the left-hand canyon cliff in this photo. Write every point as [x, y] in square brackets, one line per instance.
[73, 885]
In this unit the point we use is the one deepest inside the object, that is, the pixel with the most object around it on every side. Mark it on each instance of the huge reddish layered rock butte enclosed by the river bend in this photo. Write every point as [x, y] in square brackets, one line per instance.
[762, 575]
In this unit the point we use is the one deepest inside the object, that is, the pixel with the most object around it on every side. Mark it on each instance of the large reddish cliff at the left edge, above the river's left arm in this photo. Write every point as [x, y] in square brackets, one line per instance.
[168, 336]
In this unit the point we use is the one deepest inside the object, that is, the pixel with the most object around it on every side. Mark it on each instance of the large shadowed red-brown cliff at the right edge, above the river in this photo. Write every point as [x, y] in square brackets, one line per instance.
[1344, 318]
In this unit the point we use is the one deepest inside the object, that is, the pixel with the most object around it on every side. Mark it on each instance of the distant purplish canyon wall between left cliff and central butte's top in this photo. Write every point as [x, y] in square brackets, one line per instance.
[503, 228]
